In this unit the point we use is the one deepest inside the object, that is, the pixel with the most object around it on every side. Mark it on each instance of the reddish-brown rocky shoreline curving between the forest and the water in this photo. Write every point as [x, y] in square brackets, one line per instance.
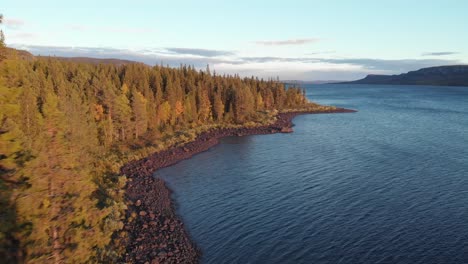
[155, 232]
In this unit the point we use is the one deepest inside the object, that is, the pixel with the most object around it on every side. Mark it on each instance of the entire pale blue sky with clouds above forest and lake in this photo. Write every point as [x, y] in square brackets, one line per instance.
[292, 40]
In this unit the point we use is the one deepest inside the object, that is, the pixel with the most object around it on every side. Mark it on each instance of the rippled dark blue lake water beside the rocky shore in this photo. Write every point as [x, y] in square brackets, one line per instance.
[388, 184]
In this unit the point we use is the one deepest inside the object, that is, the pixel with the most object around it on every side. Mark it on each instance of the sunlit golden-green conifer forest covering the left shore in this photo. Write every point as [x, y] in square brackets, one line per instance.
[67, 127]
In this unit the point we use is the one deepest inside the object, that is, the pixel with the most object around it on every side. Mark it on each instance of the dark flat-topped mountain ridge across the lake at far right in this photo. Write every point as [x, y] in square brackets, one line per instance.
[454, 75]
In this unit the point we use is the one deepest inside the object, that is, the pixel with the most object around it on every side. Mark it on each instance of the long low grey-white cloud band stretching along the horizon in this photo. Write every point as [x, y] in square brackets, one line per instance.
[299, 68]
